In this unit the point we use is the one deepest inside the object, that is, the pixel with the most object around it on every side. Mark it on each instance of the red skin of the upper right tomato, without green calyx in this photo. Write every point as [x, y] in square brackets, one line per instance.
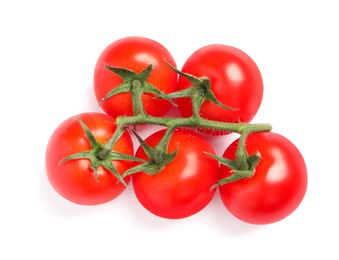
[235, 81]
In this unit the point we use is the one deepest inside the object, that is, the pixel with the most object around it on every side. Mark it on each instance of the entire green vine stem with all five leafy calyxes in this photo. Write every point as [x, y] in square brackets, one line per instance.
[242, 167]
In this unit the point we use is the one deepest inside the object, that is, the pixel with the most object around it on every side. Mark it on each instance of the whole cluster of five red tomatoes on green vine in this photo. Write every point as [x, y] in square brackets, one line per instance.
[90, 158]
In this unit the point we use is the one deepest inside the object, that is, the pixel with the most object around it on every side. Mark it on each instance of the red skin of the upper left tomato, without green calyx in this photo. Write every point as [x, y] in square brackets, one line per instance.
[134, 53]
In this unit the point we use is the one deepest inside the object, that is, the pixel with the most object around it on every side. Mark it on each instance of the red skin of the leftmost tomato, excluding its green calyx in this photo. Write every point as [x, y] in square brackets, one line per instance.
[74, 179]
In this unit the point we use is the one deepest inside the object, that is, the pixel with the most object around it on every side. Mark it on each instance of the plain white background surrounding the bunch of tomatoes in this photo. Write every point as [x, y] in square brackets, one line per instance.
[48, 50]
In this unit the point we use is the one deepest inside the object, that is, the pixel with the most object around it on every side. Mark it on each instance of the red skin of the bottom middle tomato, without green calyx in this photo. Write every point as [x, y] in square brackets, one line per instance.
[182, 188]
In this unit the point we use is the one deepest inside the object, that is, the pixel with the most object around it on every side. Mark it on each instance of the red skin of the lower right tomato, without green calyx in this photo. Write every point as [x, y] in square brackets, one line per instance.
[277, 187]
